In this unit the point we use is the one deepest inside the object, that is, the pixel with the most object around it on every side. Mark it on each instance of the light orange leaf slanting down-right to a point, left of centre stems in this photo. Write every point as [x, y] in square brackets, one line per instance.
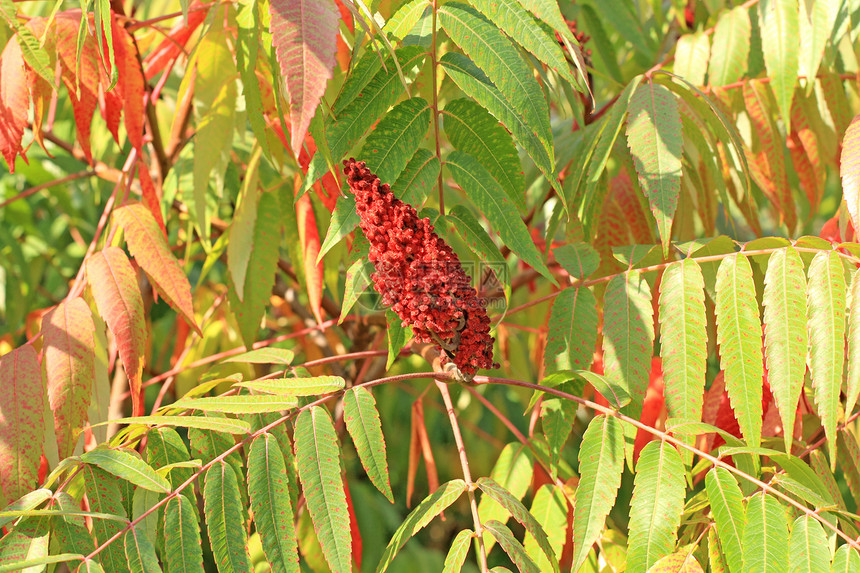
[152, 253]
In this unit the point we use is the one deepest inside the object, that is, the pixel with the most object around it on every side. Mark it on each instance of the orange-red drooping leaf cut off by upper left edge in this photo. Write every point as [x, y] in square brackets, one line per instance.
[14, 102]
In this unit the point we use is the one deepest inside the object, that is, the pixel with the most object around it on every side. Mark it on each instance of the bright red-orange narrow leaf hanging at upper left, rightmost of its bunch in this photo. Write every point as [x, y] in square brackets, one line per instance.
[131, 84]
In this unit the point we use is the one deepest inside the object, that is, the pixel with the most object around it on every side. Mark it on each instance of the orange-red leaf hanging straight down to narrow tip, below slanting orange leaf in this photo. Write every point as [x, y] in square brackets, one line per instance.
[117, 295]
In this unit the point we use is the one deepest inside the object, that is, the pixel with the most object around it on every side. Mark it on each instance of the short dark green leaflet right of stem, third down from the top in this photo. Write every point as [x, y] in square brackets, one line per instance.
[471, 129]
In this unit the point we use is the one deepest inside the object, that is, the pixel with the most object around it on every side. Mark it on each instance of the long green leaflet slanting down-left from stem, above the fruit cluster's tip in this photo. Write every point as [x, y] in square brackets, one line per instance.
[380, 93]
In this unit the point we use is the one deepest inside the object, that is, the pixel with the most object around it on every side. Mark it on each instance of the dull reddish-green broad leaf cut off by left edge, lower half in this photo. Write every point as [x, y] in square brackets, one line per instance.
[22, 423]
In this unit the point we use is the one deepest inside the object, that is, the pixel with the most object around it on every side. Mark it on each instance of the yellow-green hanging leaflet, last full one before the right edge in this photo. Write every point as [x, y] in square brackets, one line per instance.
[826, 306]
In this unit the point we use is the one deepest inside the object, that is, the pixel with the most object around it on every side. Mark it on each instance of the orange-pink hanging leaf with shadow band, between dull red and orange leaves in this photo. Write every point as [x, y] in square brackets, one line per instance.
[69, 356]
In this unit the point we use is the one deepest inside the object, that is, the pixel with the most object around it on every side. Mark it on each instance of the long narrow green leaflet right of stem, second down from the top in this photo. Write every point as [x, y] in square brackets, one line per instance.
[478, 86]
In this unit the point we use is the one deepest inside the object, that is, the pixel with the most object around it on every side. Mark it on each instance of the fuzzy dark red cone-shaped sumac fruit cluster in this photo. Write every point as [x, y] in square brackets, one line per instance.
[419, 276]
